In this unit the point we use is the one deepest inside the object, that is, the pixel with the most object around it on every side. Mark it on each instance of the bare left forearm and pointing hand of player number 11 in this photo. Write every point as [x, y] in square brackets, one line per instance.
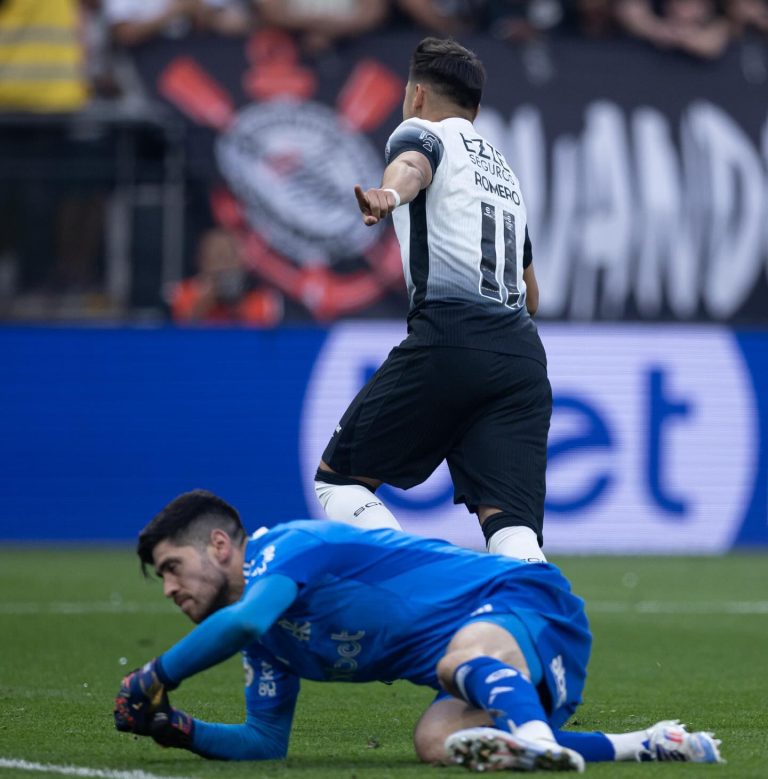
[403, 179]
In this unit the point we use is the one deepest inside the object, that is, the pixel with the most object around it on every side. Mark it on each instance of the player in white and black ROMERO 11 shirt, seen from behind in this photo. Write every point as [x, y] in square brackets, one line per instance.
[469, 383]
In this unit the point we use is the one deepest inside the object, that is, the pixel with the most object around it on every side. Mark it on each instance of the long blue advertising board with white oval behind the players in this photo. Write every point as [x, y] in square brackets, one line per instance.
[659, 439]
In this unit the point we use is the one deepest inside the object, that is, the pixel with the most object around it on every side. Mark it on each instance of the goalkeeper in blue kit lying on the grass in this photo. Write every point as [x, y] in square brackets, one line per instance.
[507, 643]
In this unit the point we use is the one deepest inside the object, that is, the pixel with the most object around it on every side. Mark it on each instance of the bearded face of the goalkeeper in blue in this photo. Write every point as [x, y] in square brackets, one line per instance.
[194, 578]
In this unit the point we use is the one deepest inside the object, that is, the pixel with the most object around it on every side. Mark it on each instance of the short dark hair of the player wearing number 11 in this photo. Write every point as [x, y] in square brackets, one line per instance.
[455, 71]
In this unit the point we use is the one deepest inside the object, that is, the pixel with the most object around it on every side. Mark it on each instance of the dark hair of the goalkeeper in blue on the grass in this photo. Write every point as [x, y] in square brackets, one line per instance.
[189, 520]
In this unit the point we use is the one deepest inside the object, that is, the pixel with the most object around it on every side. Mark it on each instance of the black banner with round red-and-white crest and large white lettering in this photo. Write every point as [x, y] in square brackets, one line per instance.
[645, 174]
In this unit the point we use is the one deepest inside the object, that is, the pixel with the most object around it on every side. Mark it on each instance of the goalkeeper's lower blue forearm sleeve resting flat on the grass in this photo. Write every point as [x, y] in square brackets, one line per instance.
[265, 738]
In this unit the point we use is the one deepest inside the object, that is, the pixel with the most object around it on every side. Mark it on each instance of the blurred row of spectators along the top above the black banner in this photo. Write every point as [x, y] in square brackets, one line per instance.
[101, 31]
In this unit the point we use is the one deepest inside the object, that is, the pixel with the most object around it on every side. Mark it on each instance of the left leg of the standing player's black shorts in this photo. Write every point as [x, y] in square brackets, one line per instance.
[401, 424]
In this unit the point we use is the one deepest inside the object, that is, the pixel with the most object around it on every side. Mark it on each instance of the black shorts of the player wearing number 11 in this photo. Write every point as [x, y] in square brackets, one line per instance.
[486, 413]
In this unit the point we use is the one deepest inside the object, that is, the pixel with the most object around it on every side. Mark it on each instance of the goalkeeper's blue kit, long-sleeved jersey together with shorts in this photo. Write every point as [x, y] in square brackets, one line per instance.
[372, 605]
